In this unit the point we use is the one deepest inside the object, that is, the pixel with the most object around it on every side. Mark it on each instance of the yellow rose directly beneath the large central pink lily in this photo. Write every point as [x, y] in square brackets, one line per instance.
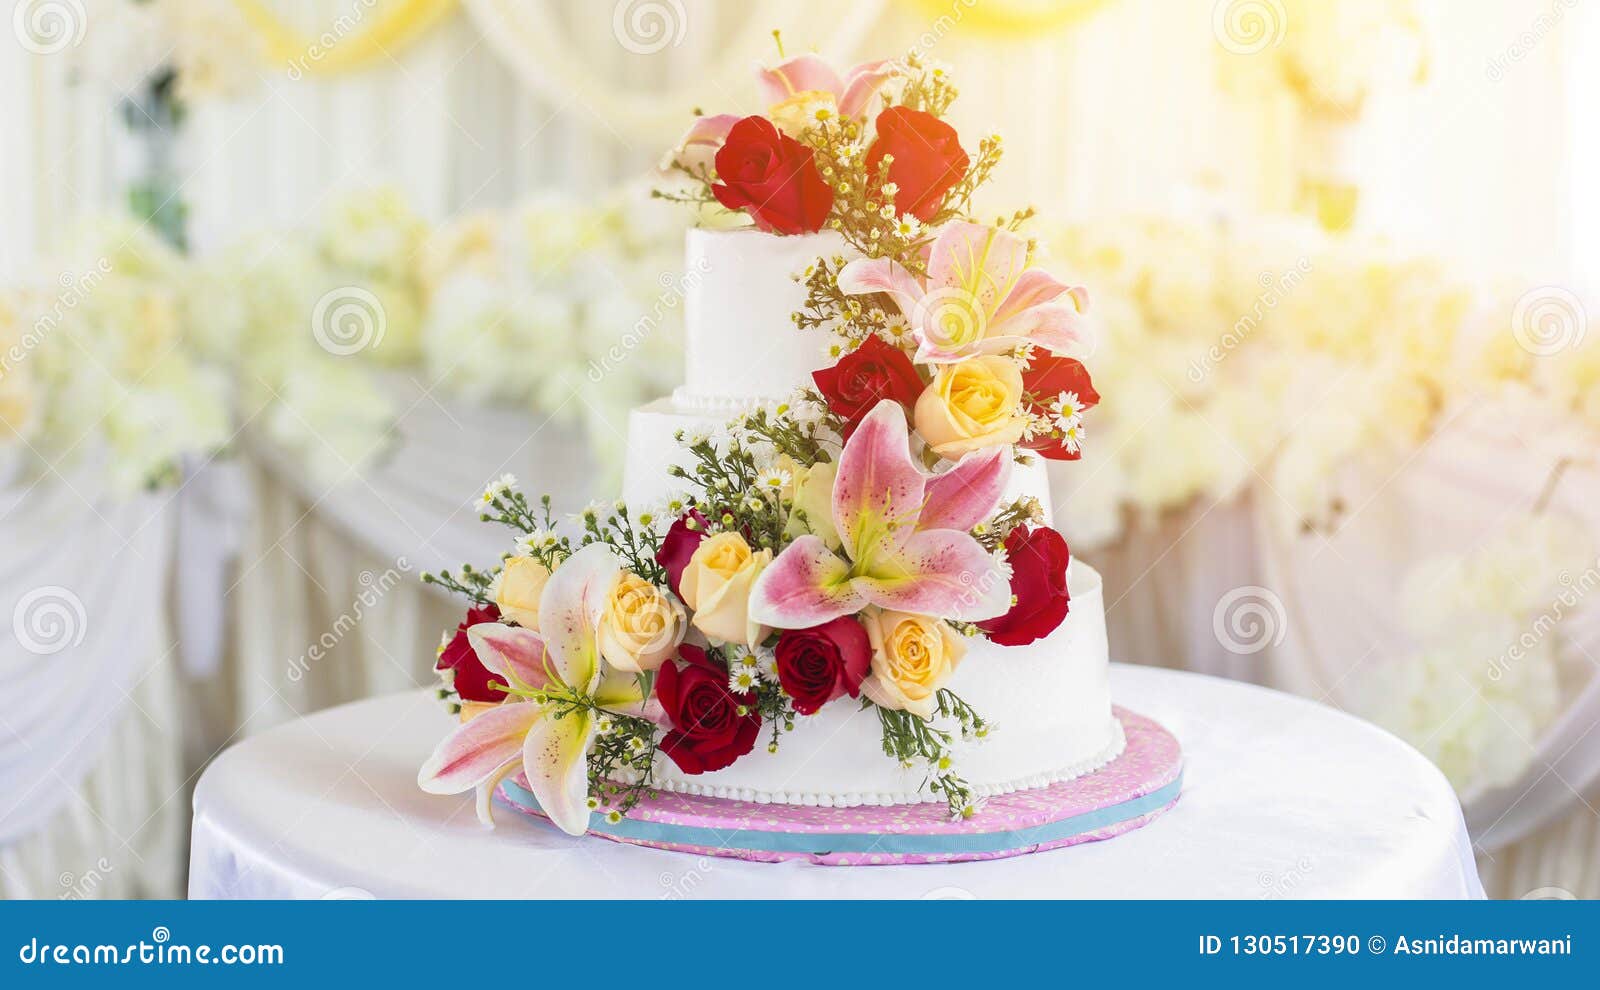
[913, 657]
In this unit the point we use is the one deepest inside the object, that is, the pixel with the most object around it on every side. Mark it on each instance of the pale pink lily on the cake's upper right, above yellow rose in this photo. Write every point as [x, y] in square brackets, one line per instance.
[978, 298]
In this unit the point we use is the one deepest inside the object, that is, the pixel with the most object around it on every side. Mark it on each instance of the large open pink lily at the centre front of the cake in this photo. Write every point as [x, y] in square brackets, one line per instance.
[905, 533]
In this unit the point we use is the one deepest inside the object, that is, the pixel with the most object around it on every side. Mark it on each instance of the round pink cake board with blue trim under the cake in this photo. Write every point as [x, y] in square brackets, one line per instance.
[1126, 794]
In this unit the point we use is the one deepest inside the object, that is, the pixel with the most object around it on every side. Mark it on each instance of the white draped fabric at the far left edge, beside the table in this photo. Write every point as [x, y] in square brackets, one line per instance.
[92, 796]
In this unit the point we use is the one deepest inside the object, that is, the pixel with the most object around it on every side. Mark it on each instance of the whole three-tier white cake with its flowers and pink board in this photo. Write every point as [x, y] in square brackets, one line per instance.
[831, 617]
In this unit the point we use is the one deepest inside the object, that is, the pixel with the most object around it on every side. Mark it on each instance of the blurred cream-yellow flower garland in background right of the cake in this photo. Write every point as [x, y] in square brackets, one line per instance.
[1270, 348]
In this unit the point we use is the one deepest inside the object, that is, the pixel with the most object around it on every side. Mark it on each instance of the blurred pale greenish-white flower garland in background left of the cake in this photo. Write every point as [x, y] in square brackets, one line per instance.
[588, 300]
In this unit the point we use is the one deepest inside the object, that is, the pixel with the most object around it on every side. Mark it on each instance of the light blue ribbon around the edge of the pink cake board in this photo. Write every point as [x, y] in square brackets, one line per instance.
[815, 844]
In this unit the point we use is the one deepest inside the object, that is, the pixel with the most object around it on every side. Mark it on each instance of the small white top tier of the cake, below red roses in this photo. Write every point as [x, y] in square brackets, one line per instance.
[742, 345]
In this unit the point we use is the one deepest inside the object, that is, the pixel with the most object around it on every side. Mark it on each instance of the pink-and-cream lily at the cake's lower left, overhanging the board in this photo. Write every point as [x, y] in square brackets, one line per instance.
[554, 671]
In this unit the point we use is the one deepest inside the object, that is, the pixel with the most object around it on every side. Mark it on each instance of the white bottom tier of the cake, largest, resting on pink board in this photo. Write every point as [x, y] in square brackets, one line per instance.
[1049, 705]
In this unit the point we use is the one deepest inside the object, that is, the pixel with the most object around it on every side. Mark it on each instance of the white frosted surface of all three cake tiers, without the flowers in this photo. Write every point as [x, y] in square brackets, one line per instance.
[1049, 701]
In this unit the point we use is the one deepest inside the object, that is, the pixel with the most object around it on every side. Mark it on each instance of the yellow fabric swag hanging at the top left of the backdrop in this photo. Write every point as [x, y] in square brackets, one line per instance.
[353, 42]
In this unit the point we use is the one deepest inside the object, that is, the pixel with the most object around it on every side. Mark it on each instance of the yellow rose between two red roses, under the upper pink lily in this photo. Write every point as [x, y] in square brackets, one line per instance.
[972, 405]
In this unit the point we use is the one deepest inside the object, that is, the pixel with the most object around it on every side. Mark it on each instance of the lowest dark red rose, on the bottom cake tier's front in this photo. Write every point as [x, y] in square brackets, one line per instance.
[708, 730]
